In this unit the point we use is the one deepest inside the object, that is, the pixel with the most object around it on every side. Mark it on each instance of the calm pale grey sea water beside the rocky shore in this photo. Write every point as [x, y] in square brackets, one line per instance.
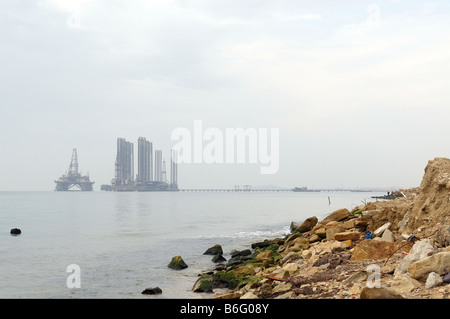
[122, 242]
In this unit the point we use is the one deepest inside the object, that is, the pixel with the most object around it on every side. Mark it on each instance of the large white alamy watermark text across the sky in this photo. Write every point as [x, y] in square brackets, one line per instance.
[232, 146]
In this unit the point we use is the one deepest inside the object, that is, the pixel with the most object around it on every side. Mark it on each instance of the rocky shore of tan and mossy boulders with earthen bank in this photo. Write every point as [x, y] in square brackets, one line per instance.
[385, 249]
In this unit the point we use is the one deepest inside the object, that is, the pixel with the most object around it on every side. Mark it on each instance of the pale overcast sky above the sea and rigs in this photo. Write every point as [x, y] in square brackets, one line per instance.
[359, 90]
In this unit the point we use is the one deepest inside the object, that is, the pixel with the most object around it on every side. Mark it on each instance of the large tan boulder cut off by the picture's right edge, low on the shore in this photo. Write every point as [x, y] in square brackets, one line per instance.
[439, 263]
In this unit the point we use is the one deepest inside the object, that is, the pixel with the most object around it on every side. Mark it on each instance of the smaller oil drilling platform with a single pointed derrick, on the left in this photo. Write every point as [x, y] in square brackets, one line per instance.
[73, 180]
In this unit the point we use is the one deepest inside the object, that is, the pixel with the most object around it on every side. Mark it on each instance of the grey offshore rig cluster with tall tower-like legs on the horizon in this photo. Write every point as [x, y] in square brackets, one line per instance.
[147, 179]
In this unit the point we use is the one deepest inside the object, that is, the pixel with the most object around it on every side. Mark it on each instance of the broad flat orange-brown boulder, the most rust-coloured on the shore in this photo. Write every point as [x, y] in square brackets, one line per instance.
[377, 249]
